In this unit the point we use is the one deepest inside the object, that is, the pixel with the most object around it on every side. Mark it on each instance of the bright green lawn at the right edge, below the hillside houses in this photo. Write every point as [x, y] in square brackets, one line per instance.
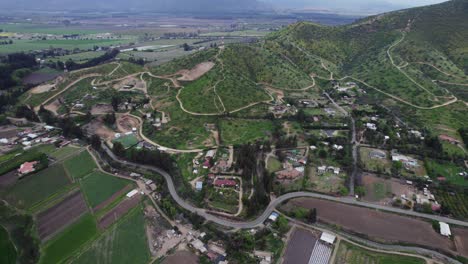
[448, 170]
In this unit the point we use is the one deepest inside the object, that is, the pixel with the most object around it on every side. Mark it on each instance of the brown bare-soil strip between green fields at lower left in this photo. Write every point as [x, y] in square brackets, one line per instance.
[60, 215]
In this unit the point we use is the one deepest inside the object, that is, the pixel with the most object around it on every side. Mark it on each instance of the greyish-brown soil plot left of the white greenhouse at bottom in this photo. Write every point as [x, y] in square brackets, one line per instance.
[300, 246]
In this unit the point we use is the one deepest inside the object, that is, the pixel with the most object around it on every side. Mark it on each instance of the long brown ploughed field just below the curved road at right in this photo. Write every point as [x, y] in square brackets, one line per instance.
[381, 226]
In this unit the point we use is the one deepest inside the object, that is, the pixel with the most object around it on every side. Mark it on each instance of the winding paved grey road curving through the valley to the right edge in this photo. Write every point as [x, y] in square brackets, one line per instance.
[271, 207]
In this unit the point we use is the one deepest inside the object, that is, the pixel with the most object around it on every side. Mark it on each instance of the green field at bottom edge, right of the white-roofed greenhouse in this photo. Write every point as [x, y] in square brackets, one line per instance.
[352, 254]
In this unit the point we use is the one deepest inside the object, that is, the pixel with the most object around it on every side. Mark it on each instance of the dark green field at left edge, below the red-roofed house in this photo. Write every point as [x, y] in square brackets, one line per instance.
[37, 187]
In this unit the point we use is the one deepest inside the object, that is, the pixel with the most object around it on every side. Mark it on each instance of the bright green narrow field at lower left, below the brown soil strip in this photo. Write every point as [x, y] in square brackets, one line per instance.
[69, 241]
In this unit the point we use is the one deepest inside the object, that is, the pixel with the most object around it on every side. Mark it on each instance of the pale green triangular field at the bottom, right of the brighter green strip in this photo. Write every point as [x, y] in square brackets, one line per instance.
[123, 243]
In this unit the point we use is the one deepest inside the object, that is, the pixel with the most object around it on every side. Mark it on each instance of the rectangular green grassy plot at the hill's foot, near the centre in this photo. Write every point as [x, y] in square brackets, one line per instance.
[238, 131]
